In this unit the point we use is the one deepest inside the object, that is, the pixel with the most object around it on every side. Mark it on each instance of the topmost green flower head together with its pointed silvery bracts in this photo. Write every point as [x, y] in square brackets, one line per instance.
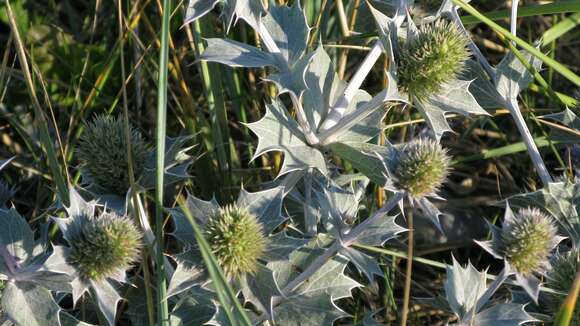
[428, 65]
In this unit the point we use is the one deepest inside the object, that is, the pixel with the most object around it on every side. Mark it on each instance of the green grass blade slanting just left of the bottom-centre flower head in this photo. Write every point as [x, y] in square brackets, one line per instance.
[230, 303]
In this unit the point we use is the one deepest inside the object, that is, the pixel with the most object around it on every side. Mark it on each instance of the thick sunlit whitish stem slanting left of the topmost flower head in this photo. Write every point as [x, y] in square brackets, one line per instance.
[339, 108]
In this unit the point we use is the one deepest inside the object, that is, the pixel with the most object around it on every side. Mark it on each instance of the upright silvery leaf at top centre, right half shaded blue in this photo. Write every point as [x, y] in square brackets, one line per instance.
[289, 30]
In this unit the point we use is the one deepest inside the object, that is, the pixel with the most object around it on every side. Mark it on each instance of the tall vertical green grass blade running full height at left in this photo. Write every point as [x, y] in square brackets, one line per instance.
[161, 276]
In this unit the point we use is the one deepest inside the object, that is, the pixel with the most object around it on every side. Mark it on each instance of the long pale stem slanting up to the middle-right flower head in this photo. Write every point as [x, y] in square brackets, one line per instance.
[349, 239]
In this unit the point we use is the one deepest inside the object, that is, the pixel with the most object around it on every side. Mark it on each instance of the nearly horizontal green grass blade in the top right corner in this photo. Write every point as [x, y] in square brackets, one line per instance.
[558, 7]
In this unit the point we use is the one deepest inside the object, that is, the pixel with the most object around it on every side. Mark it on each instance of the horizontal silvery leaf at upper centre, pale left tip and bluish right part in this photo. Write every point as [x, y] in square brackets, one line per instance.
[236, 54]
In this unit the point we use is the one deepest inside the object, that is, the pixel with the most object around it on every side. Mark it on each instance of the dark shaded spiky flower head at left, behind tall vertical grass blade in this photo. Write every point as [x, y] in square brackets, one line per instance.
[103, 153]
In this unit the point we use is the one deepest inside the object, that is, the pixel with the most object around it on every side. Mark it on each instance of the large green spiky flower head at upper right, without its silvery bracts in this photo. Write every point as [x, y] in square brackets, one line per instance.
[433, 58]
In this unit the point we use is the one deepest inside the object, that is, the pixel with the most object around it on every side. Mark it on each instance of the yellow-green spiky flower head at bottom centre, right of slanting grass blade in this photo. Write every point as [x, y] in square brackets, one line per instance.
[237, 239]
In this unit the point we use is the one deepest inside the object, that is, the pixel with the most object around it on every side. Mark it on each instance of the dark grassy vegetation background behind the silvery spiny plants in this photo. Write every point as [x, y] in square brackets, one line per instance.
[80, 63]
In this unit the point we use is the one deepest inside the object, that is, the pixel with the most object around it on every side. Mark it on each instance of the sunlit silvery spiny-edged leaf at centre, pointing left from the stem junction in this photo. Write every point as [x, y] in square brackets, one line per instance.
[278, 132]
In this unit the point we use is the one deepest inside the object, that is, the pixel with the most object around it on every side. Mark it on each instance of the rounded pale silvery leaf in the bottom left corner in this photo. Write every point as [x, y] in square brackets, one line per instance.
[25, 303]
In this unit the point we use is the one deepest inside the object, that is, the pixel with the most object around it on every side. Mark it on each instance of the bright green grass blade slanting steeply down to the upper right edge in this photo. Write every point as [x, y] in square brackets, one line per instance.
[564, 71]
